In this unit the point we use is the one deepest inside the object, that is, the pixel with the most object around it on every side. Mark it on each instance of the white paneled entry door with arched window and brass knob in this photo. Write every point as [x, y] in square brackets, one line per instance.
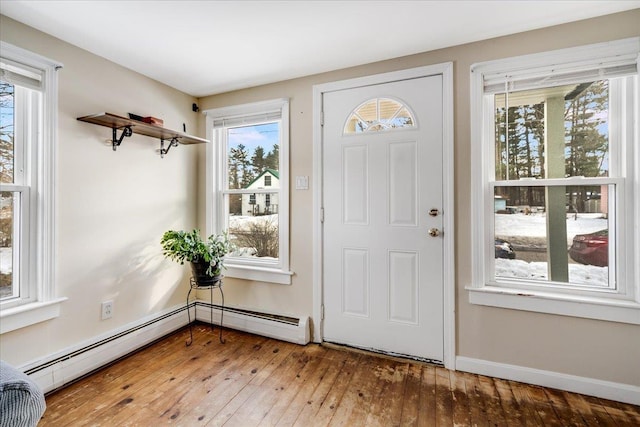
[382, 196]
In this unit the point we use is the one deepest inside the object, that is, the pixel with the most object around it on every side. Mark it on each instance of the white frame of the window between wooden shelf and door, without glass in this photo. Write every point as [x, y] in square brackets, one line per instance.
[249, 268]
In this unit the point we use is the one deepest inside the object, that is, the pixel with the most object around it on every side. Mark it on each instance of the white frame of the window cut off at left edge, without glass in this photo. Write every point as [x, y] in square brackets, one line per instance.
[38, 301]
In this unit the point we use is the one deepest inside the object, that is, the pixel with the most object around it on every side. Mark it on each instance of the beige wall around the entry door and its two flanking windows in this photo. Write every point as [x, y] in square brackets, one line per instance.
[603, 350]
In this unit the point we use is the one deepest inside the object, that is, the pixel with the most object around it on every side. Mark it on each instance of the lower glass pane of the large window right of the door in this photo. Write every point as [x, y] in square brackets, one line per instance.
[577, 251]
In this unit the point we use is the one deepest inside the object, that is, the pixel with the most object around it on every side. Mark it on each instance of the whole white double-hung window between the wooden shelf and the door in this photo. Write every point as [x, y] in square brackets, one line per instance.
[248, 187]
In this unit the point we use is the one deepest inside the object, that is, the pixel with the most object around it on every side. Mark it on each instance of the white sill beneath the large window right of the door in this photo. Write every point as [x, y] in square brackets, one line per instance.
[609, 309]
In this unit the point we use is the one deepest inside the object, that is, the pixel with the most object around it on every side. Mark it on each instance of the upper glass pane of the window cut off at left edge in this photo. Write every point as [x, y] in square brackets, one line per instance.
[7, 132]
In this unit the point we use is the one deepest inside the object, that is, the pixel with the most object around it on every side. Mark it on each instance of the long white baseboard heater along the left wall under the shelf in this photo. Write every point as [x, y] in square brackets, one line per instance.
[71, 363]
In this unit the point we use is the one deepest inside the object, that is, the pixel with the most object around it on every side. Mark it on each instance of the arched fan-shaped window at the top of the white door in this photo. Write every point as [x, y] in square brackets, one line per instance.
[378, 115]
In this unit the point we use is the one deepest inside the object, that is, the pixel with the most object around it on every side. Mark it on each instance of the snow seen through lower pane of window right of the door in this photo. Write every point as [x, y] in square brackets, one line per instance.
[534, 225]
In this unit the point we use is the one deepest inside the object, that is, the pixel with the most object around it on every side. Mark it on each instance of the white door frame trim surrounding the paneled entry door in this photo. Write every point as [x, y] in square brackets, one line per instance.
[446, 71]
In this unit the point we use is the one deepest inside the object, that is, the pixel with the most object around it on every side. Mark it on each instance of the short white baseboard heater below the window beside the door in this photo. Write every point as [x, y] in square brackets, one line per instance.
[297, 332]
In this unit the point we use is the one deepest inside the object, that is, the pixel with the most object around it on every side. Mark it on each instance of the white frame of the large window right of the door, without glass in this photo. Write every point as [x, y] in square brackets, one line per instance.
[621, 304]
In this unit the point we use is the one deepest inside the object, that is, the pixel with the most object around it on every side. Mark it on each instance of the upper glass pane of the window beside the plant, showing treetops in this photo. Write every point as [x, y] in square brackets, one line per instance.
[252, 153]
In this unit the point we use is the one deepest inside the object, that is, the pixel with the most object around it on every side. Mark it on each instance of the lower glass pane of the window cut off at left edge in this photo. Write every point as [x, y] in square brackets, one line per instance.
[7, 224]
